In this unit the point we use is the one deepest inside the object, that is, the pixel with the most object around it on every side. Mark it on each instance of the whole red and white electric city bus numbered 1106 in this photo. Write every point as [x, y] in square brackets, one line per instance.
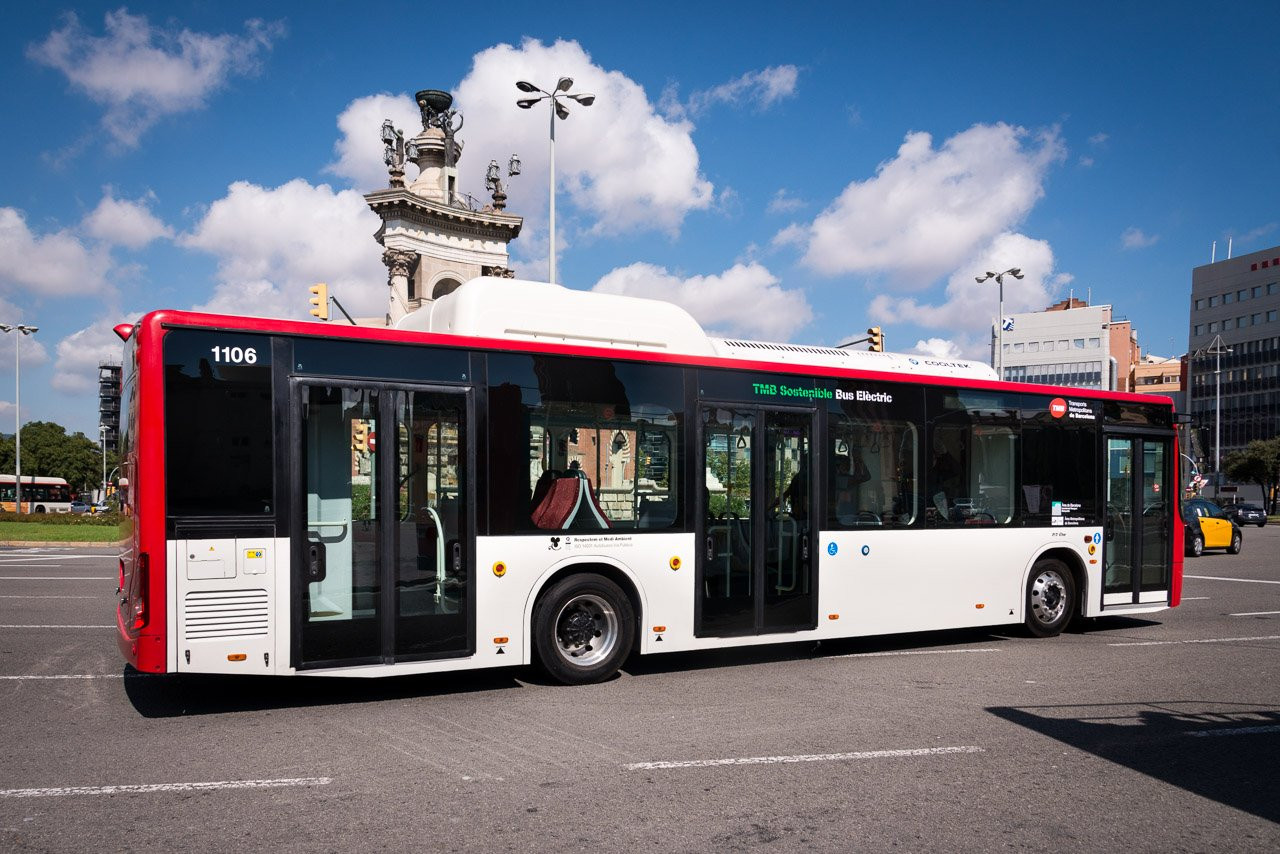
[522, 473]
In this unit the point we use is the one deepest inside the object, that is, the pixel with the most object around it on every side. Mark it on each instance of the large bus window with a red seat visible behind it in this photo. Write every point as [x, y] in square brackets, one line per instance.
[583, 445]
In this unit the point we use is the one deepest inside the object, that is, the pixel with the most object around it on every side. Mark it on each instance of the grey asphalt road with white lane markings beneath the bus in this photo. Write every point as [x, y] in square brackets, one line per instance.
[1137, 736]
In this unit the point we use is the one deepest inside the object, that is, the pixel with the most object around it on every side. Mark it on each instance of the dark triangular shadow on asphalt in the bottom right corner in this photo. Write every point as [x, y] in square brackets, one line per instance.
[1226, 752]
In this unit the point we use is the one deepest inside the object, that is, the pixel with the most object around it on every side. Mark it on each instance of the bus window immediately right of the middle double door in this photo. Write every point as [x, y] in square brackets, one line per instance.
[872, 474]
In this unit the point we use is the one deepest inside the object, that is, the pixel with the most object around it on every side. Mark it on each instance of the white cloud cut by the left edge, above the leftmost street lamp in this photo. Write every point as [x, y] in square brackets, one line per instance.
[57, 264]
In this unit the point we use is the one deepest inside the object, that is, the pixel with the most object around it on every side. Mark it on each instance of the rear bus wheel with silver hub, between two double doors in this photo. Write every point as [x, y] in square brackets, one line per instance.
[584, 628]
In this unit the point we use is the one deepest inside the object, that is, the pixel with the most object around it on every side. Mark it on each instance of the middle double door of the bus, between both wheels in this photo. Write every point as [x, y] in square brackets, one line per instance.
[756, 567]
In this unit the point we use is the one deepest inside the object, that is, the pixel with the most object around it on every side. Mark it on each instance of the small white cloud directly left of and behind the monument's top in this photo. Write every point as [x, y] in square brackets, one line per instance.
[360, 148]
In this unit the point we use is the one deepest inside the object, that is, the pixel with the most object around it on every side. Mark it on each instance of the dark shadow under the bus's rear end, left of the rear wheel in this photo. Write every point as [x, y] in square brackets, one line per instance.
[182, 695]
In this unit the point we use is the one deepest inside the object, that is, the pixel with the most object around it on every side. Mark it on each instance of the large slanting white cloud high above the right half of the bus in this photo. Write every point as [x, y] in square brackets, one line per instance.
[929, 211]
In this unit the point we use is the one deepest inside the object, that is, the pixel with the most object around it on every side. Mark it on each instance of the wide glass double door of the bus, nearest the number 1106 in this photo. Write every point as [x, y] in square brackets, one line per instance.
[385, 567]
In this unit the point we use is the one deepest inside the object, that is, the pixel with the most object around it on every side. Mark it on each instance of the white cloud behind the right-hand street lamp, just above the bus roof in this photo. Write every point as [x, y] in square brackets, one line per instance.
[970, 309]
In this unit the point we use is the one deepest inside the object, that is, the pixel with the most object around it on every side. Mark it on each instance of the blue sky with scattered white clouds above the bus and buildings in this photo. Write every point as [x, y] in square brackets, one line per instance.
[788, 172]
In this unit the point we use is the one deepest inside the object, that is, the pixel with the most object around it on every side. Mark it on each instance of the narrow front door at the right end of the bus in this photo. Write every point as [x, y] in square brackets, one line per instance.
[1140, 512]
